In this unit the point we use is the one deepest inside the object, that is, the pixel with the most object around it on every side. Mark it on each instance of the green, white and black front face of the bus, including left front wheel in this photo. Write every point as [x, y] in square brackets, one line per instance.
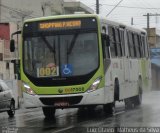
[60, 63]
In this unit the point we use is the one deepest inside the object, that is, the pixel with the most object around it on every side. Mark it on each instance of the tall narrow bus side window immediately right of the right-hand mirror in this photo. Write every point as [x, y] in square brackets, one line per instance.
[113, 47]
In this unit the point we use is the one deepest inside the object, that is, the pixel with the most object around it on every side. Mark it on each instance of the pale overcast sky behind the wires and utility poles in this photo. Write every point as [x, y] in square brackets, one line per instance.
[128, 9]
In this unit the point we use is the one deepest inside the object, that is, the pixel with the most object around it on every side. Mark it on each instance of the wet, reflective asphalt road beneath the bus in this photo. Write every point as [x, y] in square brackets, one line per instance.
[82, 121]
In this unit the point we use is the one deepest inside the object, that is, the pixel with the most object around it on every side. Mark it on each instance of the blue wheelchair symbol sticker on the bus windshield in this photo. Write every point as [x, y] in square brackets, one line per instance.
[67, 70]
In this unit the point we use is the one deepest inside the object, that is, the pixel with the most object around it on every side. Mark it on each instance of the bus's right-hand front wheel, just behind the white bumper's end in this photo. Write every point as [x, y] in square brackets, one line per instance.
[109, 108]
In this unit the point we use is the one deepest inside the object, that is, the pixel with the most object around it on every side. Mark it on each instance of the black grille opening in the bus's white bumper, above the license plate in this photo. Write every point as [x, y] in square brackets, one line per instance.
[70, 100]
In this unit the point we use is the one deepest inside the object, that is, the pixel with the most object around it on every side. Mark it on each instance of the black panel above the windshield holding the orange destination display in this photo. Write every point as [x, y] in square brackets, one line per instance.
[57, 26]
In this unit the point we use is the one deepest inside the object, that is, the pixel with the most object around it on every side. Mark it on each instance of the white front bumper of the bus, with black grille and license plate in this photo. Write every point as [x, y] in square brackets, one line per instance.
[64, 101]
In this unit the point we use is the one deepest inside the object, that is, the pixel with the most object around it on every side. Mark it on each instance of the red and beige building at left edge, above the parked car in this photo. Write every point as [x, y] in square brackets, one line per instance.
[6, 67]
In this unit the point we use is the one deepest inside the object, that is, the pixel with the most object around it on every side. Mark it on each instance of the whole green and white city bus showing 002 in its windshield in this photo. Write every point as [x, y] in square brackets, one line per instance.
[82, 60]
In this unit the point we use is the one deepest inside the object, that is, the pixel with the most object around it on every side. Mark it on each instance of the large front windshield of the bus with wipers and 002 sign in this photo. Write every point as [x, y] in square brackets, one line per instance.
[62, 55]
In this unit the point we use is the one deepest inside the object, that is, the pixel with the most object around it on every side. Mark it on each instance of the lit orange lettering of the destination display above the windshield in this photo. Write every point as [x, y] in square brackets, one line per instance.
[60, 25]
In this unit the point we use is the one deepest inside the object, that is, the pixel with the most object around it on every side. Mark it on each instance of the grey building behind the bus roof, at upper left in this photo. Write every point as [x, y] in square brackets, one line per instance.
[18, 10]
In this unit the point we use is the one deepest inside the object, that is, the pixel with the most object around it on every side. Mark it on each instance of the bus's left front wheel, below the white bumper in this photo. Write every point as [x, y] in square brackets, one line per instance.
[49, 112]
